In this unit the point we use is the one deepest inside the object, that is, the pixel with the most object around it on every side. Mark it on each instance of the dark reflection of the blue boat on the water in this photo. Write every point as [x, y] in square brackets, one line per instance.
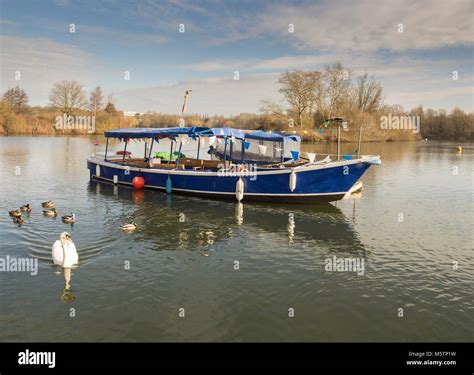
[187, 222]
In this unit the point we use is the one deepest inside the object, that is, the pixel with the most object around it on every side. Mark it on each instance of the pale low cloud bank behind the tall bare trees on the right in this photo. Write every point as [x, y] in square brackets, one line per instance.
[406, 81]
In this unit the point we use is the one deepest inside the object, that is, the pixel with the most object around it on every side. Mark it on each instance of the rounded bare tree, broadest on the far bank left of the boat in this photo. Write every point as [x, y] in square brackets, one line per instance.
[68, 96]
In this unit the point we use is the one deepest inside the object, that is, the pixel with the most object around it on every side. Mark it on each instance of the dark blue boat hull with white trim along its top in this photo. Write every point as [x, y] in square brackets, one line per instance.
[314, 184]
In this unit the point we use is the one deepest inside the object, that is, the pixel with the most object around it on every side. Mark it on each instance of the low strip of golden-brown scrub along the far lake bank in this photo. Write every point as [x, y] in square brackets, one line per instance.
[42, 120]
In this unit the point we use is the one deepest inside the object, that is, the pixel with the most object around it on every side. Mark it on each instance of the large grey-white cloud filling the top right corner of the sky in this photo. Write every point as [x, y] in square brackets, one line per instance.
[369, 25]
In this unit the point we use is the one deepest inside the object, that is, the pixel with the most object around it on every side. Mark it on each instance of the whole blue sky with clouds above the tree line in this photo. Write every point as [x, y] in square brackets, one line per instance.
[221, 37]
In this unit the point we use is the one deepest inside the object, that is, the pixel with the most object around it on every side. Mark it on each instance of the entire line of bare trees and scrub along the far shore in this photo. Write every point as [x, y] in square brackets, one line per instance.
[310, 98]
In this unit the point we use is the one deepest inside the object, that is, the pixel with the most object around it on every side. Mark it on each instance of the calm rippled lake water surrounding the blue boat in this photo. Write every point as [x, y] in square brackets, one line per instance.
[190, 264]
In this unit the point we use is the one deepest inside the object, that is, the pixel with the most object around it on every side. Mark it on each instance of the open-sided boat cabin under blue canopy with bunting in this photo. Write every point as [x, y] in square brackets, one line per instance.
[215, 148]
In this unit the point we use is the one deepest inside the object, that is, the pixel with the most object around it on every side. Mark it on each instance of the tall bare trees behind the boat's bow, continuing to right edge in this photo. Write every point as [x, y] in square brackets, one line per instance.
[312, 97]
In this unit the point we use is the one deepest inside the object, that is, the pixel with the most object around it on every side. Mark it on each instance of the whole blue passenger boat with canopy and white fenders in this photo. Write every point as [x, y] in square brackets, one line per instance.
[230, 164]
